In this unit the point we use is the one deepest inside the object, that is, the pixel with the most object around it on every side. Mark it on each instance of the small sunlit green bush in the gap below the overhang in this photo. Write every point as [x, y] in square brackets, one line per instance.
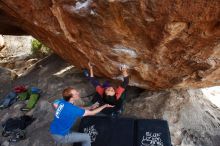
[39, 50]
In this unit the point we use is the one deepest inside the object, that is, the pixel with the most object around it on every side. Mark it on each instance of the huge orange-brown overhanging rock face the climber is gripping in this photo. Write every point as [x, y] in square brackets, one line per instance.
[165, 44]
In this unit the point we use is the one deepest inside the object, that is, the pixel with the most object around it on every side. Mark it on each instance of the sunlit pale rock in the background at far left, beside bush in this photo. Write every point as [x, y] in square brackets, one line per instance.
[16, 54]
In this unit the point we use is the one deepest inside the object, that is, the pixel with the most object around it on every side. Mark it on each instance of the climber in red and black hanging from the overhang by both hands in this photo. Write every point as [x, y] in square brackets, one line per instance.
[108, 94]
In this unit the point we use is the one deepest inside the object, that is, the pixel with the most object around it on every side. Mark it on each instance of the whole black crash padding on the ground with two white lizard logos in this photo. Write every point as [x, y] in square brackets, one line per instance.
[108, 131]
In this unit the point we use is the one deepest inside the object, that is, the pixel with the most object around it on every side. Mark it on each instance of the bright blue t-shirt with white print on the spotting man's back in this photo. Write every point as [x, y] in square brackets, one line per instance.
[65, 117]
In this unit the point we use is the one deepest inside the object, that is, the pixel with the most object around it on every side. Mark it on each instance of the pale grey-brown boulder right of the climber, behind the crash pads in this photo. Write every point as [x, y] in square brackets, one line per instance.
[193, 120]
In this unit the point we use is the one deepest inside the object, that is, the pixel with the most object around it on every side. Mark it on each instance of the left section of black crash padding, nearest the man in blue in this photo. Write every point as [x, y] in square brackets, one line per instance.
[108, 131]
